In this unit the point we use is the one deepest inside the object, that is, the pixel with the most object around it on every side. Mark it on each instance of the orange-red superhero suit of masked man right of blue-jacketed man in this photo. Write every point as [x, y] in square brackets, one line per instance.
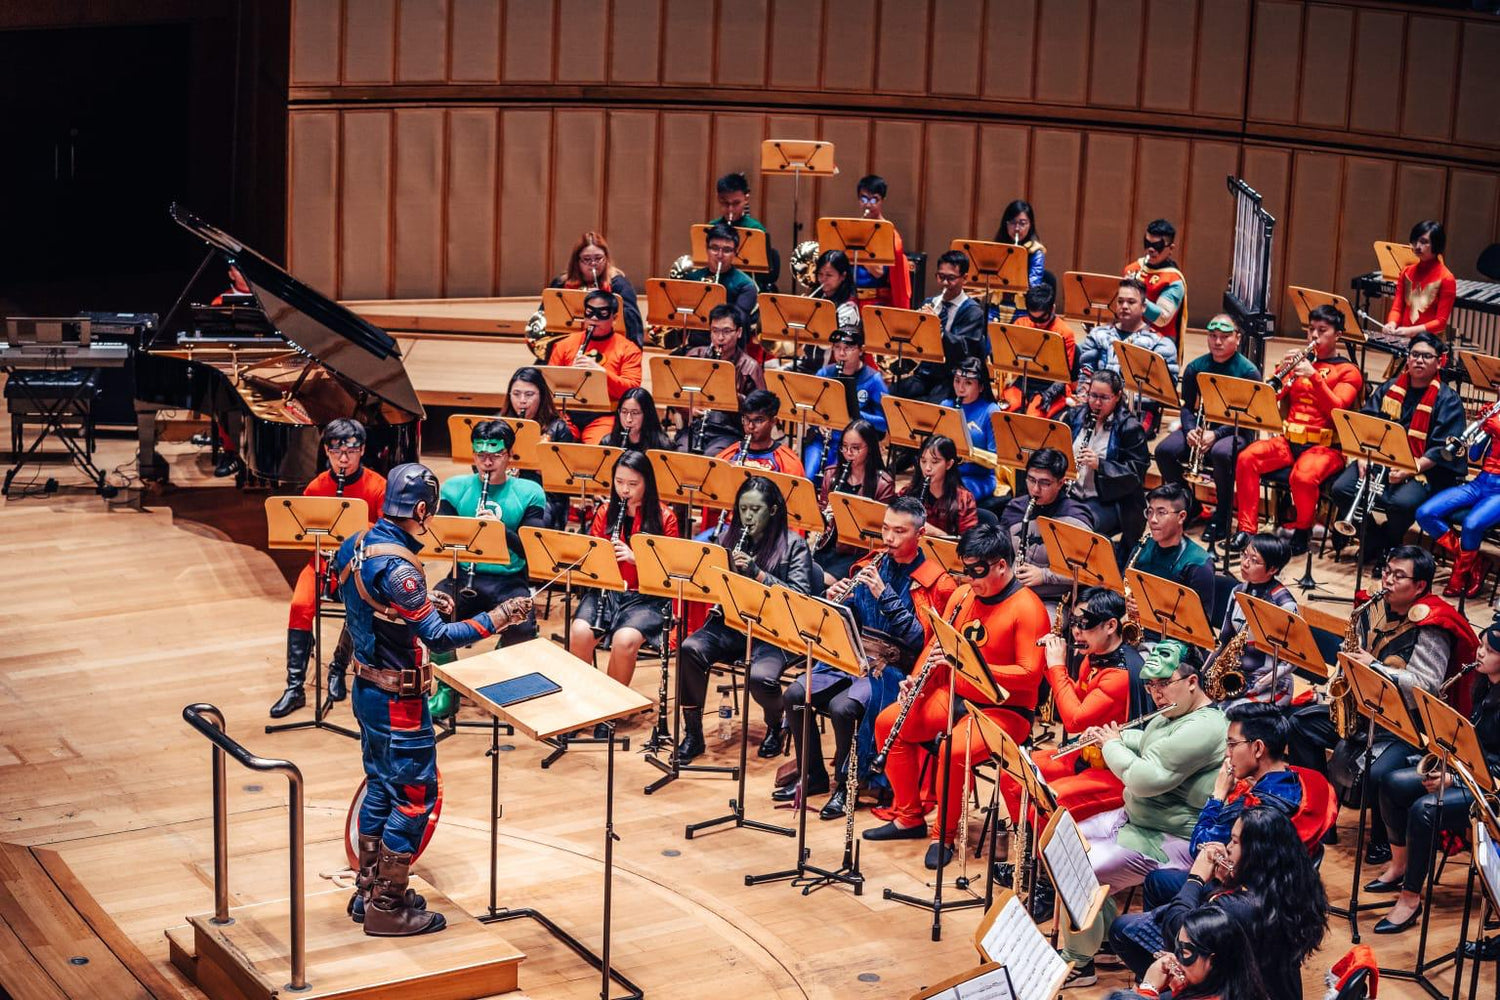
[1006, 629]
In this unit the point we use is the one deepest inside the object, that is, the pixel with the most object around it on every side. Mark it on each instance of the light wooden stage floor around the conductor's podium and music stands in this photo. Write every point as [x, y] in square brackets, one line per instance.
[119, 617]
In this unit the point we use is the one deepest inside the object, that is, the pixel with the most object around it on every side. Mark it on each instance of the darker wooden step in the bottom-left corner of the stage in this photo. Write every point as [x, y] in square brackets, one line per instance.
[58, 944]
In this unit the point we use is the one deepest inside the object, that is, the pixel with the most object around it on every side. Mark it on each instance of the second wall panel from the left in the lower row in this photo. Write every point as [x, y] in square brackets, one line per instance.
[365, 206]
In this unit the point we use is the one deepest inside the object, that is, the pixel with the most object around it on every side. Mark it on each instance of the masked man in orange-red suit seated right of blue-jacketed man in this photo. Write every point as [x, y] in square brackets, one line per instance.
[1004, 620]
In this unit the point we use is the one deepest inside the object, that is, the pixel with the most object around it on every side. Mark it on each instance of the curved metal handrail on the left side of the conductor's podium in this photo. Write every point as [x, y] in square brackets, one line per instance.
[209, 722]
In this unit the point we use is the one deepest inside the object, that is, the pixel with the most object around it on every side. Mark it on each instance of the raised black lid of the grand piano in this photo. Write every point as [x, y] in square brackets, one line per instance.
[328, 332]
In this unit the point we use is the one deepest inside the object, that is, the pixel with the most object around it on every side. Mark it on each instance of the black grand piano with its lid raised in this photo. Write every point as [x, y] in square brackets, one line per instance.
[272, 367]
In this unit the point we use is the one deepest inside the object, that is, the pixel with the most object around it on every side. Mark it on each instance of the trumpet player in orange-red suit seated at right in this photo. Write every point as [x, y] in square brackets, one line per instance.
[1310, 394]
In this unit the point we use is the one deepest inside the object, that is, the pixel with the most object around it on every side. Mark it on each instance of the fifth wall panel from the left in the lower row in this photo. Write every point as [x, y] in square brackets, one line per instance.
[526, 190]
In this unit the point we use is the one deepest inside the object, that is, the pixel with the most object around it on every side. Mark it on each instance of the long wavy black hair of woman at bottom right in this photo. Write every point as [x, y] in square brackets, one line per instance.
[1276, 869]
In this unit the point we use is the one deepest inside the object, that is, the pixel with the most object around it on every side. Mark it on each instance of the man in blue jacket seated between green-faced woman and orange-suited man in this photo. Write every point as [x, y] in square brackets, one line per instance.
[890, 596]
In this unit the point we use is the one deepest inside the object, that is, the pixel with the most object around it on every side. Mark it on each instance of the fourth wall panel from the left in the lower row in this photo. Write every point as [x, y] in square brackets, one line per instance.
[470, 208]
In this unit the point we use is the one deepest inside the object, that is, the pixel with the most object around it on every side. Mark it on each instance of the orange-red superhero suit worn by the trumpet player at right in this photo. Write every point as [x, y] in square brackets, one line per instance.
[1309, 407]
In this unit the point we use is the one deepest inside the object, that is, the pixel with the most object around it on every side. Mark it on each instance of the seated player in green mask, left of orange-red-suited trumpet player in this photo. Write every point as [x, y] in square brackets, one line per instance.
[1174, 455]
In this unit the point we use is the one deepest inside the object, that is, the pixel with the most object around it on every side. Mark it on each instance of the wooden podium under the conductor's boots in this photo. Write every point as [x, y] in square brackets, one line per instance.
[251, 957]
